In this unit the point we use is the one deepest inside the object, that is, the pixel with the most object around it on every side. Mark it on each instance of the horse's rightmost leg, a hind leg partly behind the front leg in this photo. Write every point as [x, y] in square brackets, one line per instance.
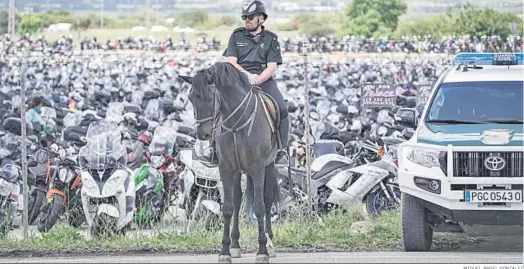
[269, 199]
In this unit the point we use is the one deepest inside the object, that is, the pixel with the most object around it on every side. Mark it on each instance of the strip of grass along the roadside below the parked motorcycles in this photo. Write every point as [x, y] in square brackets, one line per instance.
[331, 232]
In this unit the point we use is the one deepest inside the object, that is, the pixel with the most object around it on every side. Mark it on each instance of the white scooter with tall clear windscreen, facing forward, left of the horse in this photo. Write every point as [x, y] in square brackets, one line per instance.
[108, 190]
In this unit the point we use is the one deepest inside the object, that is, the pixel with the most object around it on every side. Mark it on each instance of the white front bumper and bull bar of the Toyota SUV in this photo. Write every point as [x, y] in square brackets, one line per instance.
[451, 200]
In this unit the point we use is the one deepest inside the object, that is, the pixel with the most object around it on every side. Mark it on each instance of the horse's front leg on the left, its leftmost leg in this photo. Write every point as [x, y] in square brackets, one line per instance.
[227, 212]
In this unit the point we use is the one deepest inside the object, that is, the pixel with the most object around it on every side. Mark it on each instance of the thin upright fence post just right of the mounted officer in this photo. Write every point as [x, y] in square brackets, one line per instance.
[307, 133]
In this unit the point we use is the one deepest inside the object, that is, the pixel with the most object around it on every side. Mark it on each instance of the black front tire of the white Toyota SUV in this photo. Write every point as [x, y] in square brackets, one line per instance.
[417, 234]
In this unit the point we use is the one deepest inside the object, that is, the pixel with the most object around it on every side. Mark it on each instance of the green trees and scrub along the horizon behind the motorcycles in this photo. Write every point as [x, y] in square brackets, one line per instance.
[369, 18]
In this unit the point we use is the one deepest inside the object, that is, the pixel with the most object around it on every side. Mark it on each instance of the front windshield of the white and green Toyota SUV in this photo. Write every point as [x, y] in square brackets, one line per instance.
[477, 101]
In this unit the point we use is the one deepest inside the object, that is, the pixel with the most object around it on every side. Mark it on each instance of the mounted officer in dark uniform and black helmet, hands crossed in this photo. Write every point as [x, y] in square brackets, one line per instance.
[255, 52]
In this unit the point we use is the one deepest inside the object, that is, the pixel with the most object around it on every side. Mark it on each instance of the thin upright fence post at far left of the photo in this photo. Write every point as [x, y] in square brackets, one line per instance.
[23, 70]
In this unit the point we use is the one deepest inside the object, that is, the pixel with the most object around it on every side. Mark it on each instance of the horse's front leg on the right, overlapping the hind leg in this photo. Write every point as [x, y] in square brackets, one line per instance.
[258, 178]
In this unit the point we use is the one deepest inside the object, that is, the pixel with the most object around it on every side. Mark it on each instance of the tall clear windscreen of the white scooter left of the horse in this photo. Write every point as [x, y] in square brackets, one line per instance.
[104, 148]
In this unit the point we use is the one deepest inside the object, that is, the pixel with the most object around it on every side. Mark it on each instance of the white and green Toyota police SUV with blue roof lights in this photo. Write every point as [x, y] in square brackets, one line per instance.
[465, 161]
